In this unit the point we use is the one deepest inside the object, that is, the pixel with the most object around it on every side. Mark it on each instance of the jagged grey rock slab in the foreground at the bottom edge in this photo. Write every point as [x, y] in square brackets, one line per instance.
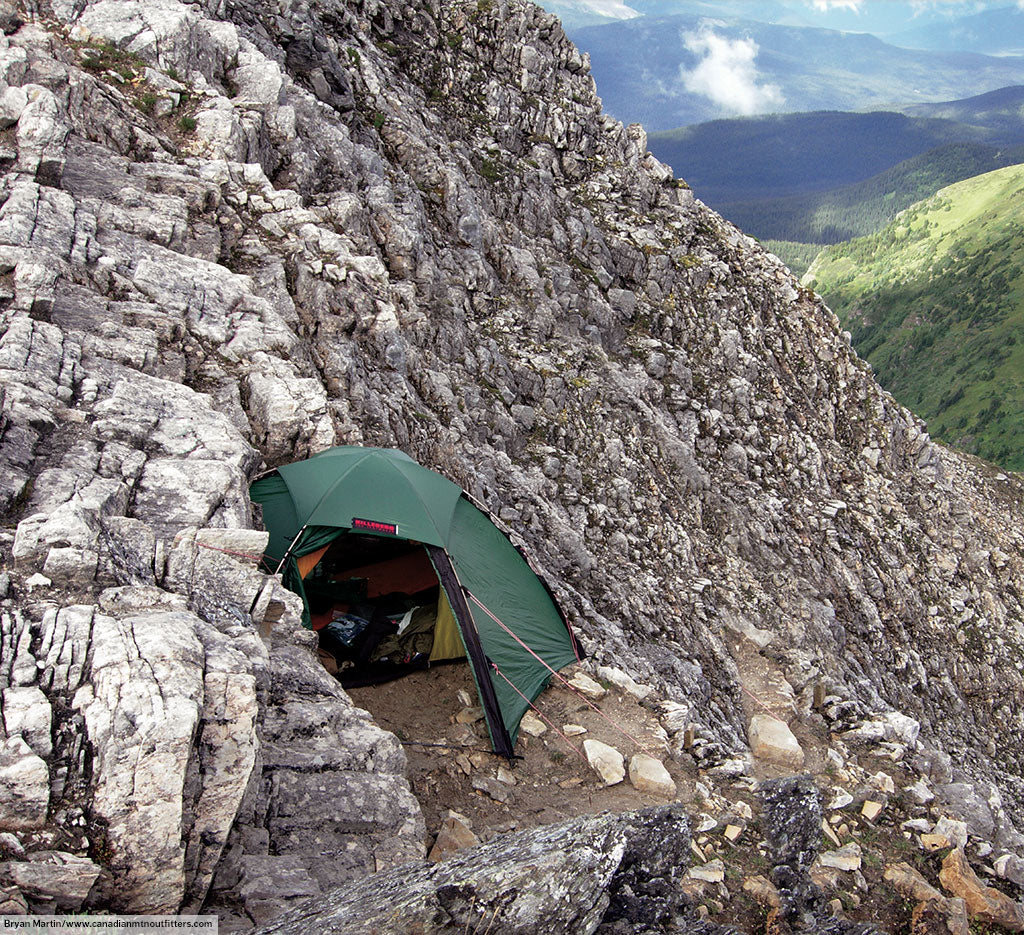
[585, 875]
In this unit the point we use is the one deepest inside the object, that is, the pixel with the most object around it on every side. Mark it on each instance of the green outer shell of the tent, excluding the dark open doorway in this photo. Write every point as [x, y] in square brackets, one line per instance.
[511, 629]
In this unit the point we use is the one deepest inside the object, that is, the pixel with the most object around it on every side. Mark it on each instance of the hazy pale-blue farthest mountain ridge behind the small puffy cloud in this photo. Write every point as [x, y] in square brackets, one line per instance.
[641, 68]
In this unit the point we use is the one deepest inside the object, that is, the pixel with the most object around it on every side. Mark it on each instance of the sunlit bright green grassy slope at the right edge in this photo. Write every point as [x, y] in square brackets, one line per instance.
[935, 302]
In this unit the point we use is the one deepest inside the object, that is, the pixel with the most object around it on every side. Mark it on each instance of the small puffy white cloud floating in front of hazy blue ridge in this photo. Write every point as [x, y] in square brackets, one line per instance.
[728, 75]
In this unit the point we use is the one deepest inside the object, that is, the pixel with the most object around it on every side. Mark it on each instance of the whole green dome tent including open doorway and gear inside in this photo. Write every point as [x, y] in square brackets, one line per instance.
[399, 570]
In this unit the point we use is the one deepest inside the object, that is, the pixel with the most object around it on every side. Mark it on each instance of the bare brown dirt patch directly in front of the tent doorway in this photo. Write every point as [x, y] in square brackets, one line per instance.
[552, 779]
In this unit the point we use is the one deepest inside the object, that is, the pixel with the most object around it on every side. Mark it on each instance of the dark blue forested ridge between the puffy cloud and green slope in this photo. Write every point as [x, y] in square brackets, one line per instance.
[822, 179]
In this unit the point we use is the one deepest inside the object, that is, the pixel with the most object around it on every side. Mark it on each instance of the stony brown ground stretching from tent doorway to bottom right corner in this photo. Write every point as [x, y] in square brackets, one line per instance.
[886, 851]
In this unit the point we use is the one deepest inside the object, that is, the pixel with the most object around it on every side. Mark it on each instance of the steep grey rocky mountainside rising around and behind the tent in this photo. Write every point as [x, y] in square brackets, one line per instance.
[237, 233]
